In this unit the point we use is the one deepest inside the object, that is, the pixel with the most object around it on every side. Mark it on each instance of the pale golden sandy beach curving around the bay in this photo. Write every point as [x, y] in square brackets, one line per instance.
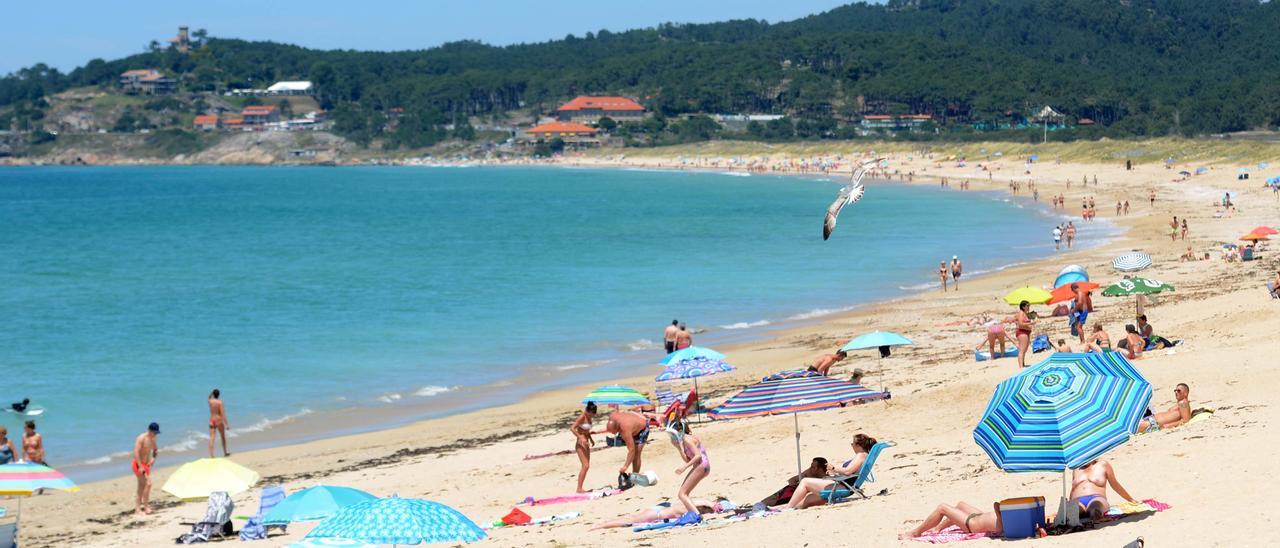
[1212, 473]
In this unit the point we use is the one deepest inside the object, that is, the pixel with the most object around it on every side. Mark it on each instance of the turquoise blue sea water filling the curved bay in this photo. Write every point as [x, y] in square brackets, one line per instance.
[127, 294]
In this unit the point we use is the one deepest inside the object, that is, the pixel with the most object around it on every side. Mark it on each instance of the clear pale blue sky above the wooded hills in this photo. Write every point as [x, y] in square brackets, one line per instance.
[68, 34]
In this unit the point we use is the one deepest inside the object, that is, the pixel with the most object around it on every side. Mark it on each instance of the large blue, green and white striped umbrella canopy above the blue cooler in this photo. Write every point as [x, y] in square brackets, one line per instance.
[1063, 413]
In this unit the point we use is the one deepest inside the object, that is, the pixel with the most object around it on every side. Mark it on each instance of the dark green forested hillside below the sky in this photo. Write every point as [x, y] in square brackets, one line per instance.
[1136, 67]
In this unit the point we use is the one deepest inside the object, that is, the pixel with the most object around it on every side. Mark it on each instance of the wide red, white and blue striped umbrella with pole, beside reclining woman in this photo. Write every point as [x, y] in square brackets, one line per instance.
[793, 392]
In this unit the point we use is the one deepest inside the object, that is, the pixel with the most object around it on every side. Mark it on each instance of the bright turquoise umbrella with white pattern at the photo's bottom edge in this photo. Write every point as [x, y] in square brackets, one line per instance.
[396, 520]
